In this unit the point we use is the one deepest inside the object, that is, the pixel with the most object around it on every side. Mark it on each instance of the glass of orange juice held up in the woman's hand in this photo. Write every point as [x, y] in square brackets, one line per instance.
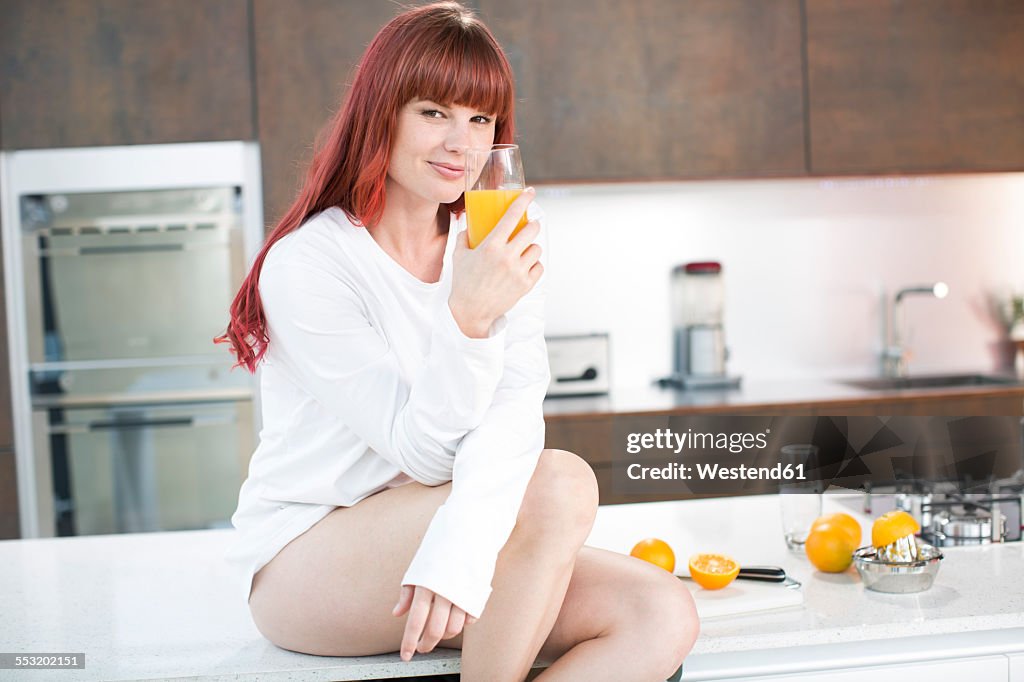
[494, 180]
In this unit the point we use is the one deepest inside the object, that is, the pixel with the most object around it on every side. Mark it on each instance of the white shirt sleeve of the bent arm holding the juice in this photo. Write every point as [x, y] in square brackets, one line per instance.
[319, 327]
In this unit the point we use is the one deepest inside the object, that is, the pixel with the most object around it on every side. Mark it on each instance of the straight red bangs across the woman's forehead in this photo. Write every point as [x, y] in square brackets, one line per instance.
[462, 67]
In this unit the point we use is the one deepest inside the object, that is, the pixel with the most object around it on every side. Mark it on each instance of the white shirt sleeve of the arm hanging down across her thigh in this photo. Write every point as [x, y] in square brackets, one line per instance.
[493, 468]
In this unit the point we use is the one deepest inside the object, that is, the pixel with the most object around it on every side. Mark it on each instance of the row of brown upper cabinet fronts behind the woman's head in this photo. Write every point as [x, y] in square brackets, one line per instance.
[608, 91]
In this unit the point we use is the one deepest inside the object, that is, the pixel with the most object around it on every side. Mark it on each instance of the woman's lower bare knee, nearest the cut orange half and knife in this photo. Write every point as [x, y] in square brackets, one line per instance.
[664, 618]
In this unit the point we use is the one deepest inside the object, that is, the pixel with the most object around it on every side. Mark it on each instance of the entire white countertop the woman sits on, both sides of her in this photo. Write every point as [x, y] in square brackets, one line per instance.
[153, 607]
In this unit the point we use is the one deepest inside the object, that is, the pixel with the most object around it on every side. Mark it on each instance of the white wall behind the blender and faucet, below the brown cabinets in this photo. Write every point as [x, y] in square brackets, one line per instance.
[806, 263]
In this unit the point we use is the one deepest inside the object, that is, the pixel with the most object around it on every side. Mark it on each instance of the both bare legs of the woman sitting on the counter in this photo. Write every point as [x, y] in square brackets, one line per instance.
[331, 591]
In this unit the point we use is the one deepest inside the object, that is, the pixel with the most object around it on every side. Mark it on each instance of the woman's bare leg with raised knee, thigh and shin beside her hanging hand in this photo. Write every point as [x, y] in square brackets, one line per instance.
[331, 591]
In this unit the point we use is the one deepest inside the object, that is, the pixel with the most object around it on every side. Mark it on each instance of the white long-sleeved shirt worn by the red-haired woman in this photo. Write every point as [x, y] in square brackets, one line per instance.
[369, 383]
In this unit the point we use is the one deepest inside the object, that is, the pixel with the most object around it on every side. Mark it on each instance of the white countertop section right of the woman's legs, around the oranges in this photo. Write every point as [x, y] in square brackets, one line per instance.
[975, 608]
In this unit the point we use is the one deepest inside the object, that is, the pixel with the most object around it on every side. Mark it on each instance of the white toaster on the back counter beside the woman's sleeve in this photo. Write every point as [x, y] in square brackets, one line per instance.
[579, 365]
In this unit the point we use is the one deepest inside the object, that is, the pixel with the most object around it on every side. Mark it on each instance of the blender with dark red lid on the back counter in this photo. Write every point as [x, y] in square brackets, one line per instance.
[700, 351]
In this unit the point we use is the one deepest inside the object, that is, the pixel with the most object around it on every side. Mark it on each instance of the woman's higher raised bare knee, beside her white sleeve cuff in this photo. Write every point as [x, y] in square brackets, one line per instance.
[562, 498]
